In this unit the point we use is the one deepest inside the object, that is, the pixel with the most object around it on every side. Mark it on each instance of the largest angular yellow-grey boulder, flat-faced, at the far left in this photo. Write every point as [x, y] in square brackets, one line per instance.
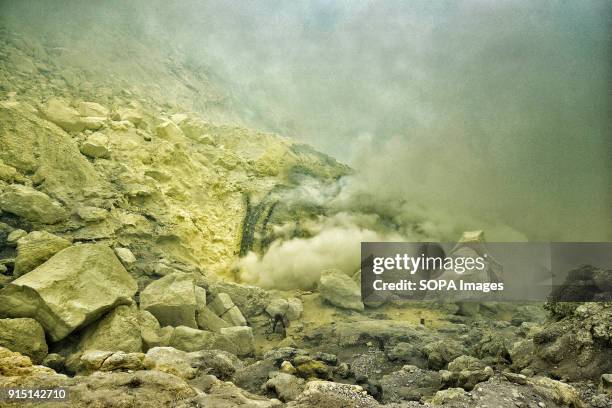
[72, 289]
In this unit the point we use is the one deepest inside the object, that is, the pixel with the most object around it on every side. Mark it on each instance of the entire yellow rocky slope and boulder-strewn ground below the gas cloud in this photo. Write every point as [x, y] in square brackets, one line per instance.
[122, 217]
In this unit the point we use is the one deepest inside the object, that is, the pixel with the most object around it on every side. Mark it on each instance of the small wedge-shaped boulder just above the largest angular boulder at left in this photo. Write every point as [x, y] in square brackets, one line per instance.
[35, 248]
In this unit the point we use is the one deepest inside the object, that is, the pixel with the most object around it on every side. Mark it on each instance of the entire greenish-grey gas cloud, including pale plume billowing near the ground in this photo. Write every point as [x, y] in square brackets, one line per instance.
[460, 115]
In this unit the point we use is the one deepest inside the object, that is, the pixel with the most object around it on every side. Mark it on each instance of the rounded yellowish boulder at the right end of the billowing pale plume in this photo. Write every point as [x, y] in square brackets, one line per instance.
[340, 290]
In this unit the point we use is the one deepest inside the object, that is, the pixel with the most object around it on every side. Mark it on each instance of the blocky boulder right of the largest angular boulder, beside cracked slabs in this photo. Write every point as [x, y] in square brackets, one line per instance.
[171, 300]
